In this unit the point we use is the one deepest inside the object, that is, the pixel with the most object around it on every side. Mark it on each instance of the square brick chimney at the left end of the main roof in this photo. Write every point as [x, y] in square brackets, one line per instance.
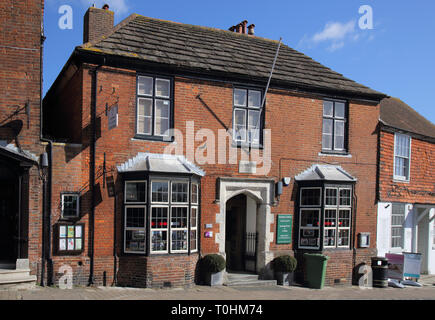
[97, 22]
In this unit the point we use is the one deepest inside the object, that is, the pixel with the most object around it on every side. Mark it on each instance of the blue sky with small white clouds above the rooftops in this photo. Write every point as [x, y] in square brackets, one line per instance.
[387, 45]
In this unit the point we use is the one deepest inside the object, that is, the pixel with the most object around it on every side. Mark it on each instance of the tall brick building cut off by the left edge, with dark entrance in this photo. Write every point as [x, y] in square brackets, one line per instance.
[21, 176]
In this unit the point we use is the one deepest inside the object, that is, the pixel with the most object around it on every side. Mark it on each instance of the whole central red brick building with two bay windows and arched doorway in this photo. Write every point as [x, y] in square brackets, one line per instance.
[125, 212]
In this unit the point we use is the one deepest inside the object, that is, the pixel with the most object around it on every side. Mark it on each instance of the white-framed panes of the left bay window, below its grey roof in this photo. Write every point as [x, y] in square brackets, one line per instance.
[173, 216]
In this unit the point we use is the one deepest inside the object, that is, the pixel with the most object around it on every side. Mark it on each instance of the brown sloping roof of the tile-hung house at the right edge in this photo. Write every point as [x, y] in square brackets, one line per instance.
[396, 113]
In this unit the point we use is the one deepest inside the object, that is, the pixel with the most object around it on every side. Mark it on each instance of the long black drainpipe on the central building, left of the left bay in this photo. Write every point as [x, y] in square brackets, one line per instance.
[92, 171]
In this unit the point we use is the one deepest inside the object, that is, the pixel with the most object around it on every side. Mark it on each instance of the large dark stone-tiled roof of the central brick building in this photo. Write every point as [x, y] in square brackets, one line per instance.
[219, 51]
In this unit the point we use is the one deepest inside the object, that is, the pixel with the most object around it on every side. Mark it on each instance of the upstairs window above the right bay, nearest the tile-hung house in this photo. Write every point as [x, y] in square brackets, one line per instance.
[334, 133]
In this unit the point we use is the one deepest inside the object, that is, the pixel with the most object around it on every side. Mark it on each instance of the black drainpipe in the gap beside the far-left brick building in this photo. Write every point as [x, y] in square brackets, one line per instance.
[47, 184]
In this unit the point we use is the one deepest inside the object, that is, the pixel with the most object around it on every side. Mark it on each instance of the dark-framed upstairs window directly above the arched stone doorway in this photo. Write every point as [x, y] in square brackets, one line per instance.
[247, 124]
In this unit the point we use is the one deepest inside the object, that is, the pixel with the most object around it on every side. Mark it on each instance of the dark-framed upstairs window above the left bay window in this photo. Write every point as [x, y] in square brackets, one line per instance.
[154, 107]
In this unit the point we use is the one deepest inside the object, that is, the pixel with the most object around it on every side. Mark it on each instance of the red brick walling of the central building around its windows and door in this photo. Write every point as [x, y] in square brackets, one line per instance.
[295, 120]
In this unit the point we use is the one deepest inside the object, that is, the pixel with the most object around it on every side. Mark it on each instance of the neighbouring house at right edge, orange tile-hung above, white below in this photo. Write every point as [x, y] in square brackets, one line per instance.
[406, 194]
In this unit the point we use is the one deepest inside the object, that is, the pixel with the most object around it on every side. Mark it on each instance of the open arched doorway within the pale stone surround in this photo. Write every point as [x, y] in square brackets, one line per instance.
[241, 234]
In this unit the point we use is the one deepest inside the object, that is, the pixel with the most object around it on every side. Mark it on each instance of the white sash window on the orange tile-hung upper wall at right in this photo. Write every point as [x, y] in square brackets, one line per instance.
[402, 156]
